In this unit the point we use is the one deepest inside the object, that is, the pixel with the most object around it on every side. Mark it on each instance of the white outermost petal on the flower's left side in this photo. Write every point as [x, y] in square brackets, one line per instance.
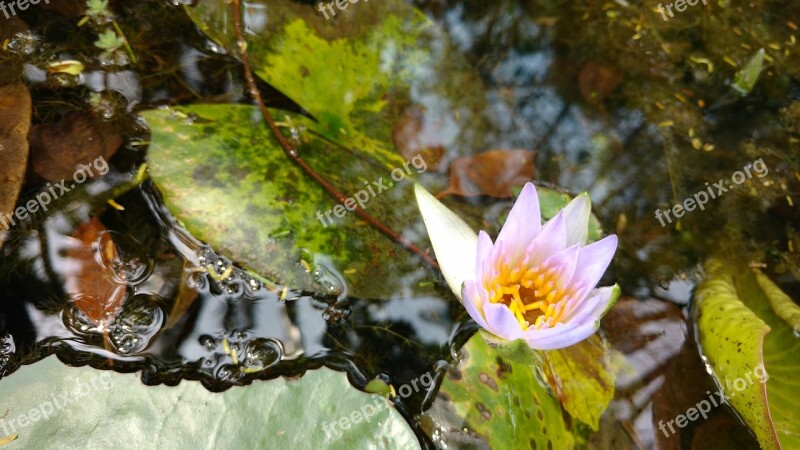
[454, 242]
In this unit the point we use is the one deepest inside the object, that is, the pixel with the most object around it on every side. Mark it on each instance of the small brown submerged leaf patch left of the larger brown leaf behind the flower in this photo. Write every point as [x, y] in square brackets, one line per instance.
[412, 137]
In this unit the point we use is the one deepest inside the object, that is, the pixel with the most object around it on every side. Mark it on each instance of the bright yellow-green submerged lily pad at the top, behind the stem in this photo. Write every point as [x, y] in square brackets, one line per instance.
[360, 72]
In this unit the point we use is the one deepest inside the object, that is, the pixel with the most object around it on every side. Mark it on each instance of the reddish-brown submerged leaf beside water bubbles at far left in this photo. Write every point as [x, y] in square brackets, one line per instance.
[90, 285]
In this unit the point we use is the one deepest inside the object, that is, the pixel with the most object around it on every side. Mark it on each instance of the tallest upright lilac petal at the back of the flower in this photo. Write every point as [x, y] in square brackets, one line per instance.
[524, 221]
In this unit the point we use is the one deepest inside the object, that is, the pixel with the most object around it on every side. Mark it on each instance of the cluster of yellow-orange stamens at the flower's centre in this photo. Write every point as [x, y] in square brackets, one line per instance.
[535, 295]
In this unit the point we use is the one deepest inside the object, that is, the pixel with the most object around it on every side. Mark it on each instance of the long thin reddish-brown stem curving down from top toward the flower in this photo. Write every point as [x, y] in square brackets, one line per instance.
[295, 156]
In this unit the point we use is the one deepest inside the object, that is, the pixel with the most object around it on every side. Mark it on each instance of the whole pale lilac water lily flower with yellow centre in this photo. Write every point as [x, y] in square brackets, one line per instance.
[536, 282]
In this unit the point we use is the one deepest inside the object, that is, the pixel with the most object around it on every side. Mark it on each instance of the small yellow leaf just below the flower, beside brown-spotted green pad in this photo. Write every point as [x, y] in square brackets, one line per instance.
[582, 378]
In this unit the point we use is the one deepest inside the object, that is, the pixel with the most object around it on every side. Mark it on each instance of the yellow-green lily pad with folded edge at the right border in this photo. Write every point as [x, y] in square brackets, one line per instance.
[741, 335]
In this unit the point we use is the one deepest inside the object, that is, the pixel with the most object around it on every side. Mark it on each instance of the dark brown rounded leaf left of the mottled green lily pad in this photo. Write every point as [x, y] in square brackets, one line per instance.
[77, 139]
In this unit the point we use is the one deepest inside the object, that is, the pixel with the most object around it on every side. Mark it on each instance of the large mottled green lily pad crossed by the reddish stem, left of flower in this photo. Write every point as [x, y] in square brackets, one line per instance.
[224, 175]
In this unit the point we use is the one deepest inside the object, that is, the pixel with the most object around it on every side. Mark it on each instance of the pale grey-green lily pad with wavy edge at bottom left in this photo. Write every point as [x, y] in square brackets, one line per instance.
[51, 405]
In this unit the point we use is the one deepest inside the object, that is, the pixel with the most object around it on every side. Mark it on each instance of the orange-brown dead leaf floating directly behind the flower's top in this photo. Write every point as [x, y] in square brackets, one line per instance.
[492, 173]
